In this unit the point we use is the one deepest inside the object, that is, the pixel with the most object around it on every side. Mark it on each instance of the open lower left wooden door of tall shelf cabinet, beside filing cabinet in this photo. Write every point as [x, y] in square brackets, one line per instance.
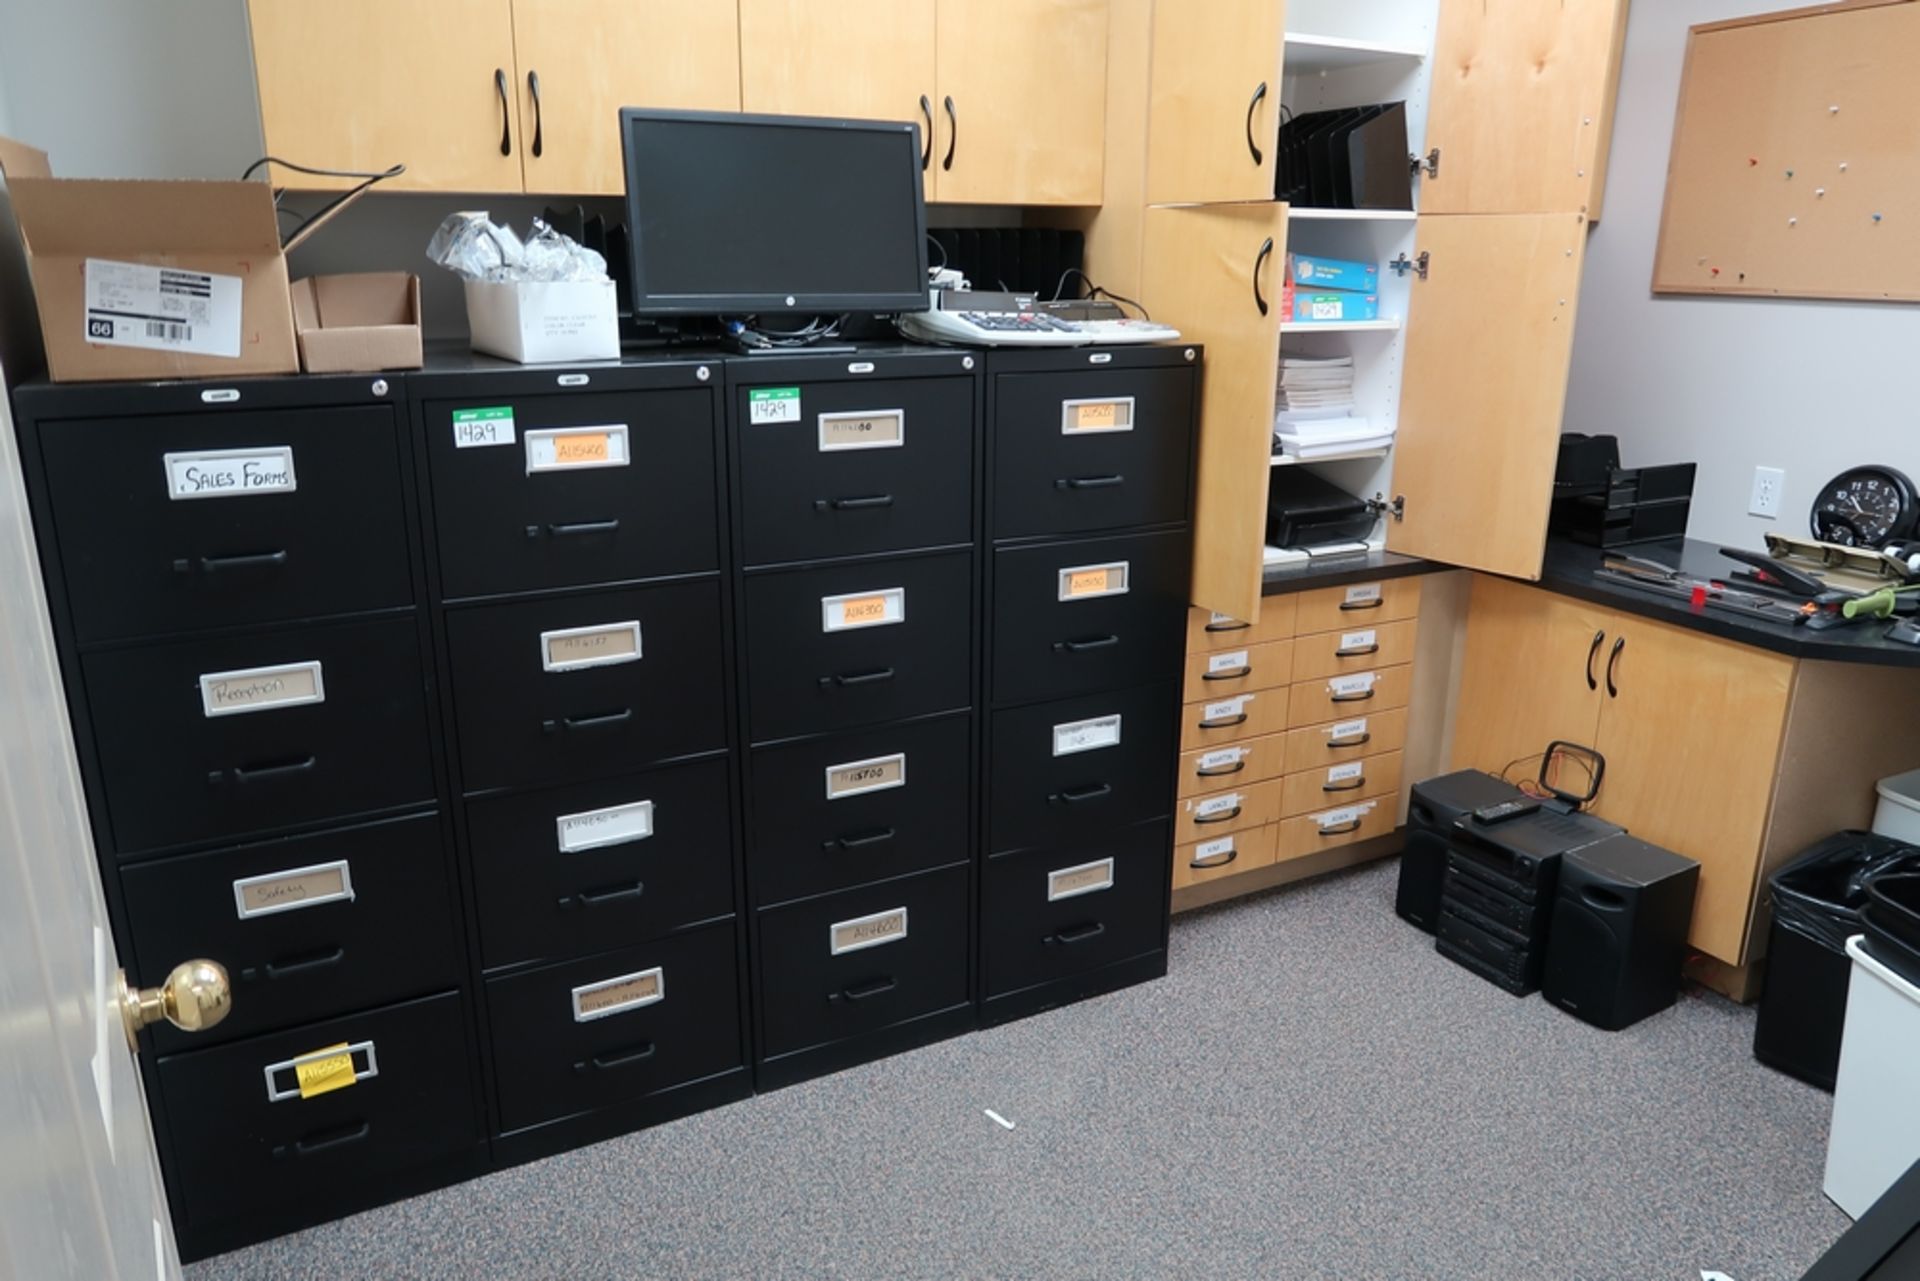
[1216, 274]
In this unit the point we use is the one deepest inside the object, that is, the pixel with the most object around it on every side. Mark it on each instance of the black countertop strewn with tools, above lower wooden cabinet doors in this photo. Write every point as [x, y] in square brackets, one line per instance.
[1572, 571]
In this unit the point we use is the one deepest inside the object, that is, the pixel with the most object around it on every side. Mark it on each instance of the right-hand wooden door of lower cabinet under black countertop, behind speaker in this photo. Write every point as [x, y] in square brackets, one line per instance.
[1691, 729]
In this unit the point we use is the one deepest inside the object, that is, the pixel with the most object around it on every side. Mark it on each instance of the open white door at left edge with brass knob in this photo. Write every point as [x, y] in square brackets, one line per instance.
[82, 1196]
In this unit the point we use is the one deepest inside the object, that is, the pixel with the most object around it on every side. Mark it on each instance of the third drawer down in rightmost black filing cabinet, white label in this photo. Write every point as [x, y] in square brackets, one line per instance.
[1078, 765]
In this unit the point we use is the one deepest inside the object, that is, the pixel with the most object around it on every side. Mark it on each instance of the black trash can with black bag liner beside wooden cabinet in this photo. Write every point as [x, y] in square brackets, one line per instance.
[1817, 907]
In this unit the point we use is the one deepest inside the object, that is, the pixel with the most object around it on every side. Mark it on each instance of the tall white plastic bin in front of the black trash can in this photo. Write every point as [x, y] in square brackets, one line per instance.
[1877, 1098]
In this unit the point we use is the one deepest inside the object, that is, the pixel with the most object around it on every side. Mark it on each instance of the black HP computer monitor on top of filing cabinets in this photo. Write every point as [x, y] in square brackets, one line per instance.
[773, 214]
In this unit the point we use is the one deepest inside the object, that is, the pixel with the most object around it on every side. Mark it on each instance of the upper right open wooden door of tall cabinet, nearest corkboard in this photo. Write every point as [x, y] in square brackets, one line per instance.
[1524, 105]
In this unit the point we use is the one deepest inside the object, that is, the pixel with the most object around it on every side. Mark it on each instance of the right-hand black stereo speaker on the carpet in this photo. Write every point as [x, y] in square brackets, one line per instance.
[1620, 931]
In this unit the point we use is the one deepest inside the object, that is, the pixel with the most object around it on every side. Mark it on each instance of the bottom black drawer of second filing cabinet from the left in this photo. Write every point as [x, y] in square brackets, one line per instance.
[621, 1027]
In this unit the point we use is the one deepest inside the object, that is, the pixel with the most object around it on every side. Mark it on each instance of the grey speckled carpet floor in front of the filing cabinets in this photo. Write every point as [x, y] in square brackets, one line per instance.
[1310, 1094]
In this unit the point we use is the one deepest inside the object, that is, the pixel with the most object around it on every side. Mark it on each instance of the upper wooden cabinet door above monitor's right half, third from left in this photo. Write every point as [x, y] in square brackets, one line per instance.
[852, 59]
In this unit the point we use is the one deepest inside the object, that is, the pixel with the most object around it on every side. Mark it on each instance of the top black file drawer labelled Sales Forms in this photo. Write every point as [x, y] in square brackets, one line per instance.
[203, 521]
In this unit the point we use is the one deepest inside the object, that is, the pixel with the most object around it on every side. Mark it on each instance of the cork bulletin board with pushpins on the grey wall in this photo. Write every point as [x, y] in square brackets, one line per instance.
[1796, 160]
